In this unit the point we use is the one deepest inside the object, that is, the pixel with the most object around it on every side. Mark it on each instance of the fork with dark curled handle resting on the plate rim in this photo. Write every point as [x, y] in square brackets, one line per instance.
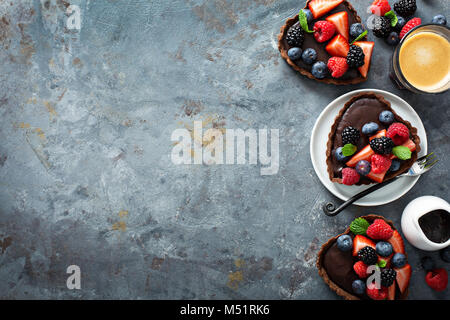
[419, 167]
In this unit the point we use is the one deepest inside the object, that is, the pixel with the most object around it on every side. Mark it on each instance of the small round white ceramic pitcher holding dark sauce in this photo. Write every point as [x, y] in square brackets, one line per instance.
[410, 221]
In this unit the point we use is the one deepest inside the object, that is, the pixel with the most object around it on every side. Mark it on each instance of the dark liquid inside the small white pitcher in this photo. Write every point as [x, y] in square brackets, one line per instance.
[436, 225]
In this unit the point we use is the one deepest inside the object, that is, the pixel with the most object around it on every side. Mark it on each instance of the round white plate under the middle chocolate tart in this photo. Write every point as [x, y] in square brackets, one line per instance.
[318, 148]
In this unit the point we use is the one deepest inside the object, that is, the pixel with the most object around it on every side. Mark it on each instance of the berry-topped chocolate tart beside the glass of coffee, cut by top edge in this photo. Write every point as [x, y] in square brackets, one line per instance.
[318, 43]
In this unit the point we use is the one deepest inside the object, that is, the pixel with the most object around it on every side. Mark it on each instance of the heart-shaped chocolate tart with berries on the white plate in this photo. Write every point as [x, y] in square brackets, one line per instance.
[369, 142]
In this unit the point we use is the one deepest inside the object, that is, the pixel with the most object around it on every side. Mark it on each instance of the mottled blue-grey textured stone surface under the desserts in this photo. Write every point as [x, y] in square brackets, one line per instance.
[85, 170]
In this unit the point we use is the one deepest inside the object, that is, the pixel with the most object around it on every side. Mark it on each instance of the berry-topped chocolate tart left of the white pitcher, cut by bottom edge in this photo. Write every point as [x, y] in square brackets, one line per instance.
[370, 240]
